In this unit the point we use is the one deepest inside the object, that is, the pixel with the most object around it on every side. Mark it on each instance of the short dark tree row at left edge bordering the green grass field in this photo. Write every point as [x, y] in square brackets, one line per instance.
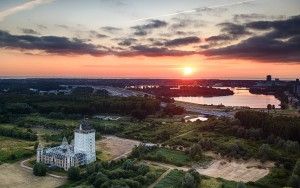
[18, 133]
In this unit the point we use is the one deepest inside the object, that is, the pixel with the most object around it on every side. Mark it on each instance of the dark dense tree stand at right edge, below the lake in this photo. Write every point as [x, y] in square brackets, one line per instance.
[285, 127]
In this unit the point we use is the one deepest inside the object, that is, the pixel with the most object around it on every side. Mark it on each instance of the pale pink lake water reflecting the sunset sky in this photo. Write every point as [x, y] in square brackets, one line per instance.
[241, 97]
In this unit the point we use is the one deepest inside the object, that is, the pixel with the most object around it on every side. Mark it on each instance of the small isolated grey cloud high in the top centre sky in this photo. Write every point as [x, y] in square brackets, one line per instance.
[141, 30]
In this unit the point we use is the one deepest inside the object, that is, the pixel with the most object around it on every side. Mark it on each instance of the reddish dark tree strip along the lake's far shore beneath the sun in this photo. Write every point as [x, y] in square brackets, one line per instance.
[186, 91]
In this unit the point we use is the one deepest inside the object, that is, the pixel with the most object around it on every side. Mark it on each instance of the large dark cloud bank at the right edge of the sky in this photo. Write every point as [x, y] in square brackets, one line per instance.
[280, 43]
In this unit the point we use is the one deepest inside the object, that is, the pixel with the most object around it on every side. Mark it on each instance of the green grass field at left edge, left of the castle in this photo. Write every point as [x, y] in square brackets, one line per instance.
[12, 149]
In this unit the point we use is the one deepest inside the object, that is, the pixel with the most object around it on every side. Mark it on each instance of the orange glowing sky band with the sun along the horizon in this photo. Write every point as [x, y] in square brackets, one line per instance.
[18, 64]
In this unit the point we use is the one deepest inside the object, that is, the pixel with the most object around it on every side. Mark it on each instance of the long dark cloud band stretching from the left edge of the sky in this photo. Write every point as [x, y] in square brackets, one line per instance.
[67, 46]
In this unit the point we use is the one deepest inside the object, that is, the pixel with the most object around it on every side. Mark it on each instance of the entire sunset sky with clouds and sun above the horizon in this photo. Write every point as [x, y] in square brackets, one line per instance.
[226, 39]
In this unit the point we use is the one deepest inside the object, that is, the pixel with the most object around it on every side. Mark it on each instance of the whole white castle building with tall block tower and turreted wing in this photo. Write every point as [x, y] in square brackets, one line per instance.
[81, 151]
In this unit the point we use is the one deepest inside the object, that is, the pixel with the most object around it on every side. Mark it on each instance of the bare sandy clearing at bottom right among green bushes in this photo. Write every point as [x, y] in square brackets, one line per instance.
[240, 171]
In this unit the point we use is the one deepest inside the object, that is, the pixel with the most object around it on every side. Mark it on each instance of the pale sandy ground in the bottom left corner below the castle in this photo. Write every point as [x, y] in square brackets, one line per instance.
[14, 176]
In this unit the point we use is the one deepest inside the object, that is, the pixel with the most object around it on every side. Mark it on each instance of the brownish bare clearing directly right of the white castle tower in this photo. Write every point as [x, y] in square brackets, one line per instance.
[116, 147]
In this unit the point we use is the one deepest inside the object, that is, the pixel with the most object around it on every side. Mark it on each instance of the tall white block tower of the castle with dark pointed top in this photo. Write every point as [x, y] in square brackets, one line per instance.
[84, 141]
